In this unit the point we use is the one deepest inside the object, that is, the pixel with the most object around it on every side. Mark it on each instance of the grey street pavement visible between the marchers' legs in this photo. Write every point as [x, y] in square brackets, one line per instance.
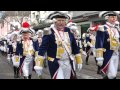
[88, 71]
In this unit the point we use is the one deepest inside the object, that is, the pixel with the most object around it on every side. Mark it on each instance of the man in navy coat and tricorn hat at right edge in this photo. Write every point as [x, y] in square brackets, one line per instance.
[107, 44]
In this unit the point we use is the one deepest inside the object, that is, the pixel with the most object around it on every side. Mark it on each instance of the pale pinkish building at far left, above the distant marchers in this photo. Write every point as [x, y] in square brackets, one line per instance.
[12, 18]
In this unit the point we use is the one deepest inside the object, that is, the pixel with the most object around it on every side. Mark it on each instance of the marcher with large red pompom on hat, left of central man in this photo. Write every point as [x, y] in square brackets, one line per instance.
[26, 51]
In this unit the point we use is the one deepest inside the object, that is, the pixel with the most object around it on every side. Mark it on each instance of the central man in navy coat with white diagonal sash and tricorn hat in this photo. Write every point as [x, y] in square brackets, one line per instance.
[60, 44]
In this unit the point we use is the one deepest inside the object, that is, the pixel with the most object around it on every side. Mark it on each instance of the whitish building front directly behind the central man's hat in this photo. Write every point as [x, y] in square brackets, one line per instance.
[39, 19]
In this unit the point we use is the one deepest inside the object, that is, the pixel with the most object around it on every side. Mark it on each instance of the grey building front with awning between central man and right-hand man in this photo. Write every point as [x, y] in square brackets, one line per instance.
[85, 19]
